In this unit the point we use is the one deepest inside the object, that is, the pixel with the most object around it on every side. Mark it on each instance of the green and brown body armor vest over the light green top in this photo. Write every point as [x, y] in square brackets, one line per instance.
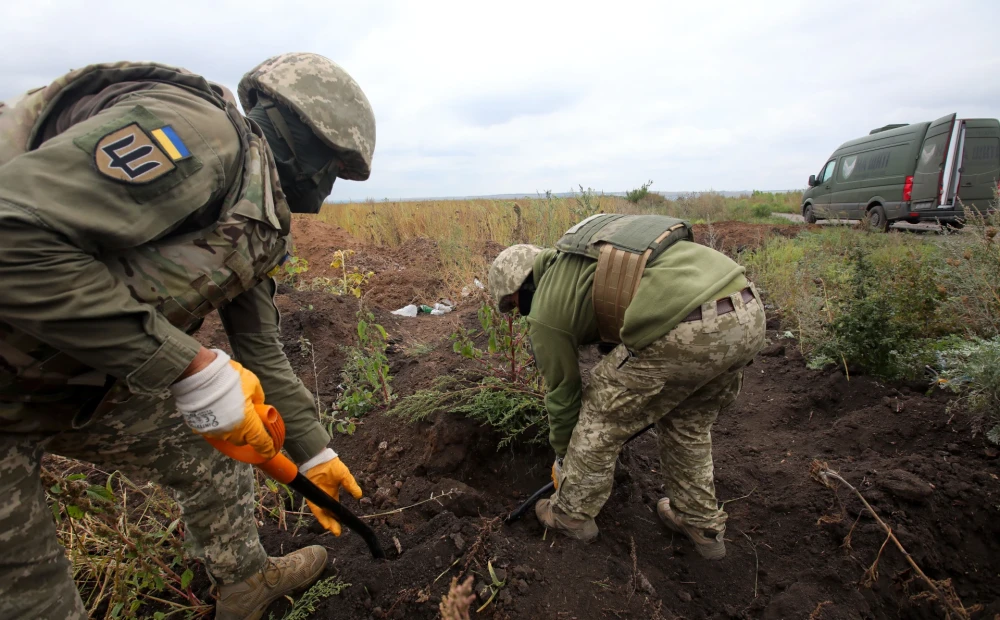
[622, 245]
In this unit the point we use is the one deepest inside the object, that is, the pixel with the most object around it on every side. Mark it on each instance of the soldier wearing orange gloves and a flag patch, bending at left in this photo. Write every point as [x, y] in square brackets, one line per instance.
[135, 199]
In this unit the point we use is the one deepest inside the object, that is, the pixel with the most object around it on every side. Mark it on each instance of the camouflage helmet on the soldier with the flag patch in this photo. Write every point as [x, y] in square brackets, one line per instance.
[327, 99]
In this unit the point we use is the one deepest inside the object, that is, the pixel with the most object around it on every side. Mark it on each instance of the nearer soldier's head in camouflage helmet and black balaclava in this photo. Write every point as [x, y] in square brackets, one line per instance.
[317, 122]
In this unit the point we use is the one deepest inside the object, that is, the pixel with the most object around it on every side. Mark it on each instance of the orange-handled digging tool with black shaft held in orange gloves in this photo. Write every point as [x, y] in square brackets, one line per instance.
[284, 470]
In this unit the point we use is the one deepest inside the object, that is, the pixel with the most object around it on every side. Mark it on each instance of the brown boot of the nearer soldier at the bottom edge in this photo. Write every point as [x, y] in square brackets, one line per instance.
[248, 599]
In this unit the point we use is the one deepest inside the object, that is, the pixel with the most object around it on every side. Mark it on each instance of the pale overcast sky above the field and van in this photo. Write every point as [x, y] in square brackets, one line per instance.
[475, 98]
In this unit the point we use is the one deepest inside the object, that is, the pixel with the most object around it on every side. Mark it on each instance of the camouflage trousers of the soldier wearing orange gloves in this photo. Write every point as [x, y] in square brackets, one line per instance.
[144, 438]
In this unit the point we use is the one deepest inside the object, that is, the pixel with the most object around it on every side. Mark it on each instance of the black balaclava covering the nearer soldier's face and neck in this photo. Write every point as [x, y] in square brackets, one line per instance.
[306, 166]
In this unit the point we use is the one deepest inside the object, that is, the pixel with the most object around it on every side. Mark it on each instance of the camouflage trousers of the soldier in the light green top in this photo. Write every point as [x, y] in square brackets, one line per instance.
[679, 382]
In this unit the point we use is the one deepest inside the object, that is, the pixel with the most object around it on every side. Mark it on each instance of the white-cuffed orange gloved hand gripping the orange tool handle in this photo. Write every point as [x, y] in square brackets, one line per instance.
[219, 401]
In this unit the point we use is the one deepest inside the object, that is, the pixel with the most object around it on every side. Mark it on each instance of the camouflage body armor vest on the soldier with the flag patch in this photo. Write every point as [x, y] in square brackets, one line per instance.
[185, 277]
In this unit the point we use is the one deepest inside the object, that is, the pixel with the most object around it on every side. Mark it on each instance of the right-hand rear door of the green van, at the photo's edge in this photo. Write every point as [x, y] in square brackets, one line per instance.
[980, 169]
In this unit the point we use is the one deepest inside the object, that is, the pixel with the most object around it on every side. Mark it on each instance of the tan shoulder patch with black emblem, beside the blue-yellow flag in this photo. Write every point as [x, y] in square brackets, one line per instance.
[130, 156]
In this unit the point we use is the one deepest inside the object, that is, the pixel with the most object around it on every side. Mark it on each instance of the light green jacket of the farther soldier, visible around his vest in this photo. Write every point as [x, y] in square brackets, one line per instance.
[562, 315]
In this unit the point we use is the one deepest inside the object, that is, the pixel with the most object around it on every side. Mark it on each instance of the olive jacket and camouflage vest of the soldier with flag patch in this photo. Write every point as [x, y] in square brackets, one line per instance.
[134, 201]
